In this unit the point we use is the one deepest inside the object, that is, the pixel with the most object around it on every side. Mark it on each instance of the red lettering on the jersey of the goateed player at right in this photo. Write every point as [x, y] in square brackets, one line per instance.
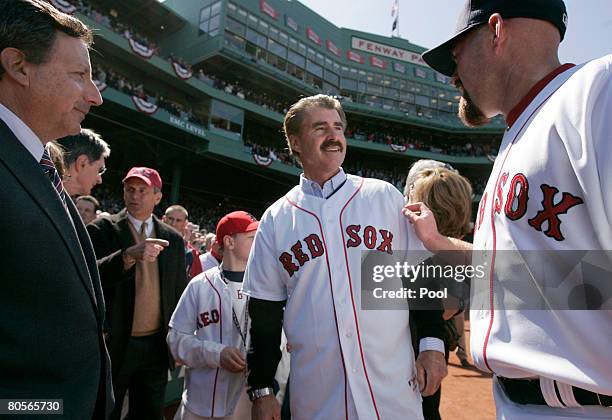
[552, 206]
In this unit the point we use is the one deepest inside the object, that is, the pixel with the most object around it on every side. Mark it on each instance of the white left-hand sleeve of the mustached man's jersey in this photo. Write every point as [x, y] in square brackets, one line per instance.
[263, 278]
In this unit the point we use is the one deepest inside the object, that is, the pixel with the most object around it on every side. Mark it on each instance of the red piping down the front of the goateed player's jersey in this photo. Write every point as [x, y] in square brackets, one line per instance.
[491, 292]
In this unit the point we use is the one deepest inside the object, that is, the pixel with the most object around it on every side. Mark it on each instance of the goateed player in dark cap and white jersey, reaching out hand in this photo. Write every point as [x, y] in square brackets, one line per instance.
[550, 190]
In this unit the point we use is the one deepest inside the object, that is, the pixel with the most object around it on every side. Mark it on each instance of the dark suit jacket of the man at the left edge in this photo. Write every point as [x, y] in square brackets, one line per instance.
[51, 304]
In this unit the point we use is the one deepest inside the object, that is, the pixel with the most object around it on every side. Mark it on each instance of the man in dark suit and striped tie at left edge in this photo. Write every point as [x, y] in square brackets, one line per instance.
[51, 302]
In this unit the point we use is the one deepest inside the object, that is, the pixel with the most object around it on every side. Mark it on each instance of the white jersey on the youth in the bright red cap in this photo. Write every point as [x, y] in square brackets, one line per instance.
[205, 308]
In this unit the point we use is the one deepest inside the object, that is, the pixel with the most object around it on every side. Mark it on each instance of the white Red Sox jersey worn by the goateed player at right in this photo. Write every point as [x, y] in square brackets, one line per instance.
[550, 189]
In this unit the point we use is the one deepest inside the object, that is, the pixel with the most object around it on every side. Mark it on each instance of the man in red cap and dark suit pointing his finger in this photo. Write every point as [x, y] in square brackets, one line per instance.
[142, 267]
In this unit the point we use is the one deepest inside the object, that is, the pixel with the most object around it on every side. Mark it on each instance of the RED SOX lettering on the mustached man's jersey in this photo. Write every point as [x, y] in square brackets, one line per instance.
[371, 237]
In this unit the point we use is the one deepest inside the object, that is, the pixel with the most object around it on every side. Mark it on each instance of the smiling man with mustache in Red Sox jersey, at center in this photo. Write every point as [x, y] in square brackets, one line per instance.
[304, 273]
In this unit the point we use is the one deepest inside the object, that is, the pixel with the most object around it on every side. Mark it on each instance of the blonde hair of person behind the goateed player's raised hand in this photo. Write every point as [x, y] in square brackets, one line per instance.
[449, 196]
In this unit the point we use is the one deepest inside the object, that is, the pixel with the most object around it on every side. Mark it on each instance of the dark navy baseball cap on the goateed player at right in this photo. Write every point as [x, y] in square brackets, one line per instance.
[477, 12]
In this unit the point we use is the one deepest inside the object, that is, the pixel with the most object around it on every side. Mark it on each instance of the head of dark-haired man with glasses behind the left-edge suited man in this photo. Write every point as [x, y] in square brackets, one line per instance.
[84, 161]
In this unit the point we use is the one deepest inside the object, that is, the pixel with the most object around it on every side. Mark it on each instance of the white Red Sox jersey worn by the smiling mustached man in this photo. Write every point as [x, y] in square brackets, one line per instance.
[346, 363]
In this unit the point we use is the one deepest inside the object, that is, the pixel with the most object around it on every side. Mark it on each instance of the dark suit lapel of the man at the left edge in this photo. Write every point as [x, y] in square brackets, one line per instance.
[34, 181]
